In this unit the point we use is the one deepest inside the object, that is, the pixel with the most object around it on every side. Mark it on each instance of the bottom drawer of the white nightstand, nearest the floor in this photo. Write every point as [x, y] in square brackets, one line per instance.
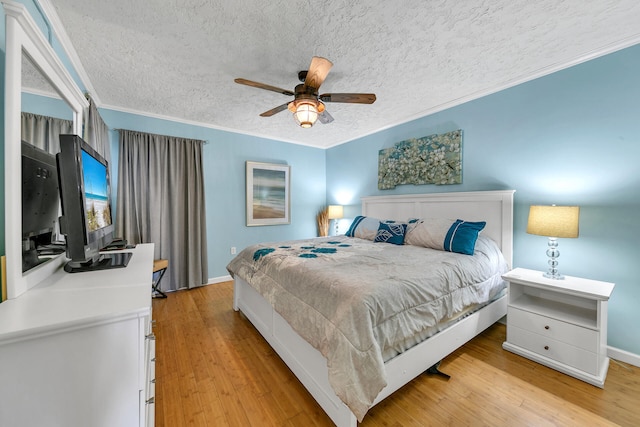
[564, 353]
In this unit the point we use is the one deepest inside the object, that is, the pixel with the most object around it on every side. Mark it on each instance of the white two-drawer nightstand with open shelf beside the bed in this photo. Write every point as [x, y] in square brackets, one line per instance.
[559, 323]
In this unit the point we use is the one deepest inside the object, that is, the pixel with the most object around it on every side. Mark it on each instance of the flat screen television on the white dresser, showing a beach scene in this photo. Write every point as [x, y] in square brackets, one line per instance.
[85, 196]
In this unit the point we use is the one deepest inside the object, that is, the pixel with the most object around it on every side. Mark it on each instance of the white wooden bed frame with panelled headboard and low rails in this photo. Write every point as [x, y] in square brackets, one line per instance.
[495, 207]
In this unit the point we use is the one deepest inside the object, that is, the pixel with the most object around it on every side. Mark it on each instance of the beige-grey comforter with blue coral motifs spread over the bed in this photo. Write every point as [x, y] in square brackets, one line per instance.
[361, 303]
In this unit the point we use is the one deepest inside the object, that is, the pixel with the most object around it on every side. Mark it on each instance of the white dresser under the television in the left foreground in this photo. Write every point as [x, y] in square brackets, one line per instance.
[78, 349]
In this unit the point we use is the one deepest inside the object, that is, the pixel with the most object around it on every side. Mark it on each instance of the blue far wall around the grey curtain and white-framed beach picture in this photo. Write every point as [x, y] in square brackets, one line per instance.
[224, 158]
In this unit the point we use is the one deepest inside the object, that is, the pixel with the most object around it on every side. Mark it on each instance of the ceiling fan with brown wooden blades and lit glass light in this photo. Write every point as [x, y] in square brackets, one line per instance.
[307, 106]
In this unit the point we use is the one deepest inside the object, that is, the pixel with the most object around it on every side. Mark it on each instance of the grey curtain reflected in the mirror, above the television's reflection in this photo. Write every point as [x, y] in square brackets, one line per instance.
[43, 131]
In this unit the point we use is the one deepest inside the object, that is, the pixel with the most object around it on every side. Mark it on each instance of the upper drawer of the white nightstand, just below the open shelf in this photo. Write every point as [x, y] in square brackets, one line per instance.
[587, 339]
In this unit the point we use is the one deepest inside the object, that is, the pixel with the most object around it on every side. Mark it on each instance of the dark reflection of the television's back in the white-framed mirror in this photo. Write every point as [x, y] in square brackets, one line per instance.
[40, 204]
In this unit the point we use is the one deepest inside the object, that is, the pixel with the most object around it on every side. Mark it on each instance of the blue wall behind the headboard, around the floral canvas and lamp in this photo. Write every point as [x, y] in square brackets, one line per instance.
[569, 138]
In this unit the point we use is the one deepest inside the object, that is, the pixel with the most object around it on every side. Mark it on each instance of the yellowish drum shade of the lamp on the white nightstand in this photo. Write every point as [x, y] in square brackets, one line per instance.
[553, 221]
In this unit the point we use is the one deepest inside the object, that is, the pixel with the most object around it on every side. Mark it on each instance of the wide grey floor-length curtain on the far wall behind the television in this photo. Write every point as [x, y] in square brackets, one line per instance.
[161, 200]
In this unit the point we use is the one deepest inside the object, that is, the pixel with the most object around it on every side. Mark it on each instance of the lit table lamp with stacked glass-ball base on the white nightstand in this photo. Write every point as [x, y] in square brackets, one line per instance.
[554, 222]
